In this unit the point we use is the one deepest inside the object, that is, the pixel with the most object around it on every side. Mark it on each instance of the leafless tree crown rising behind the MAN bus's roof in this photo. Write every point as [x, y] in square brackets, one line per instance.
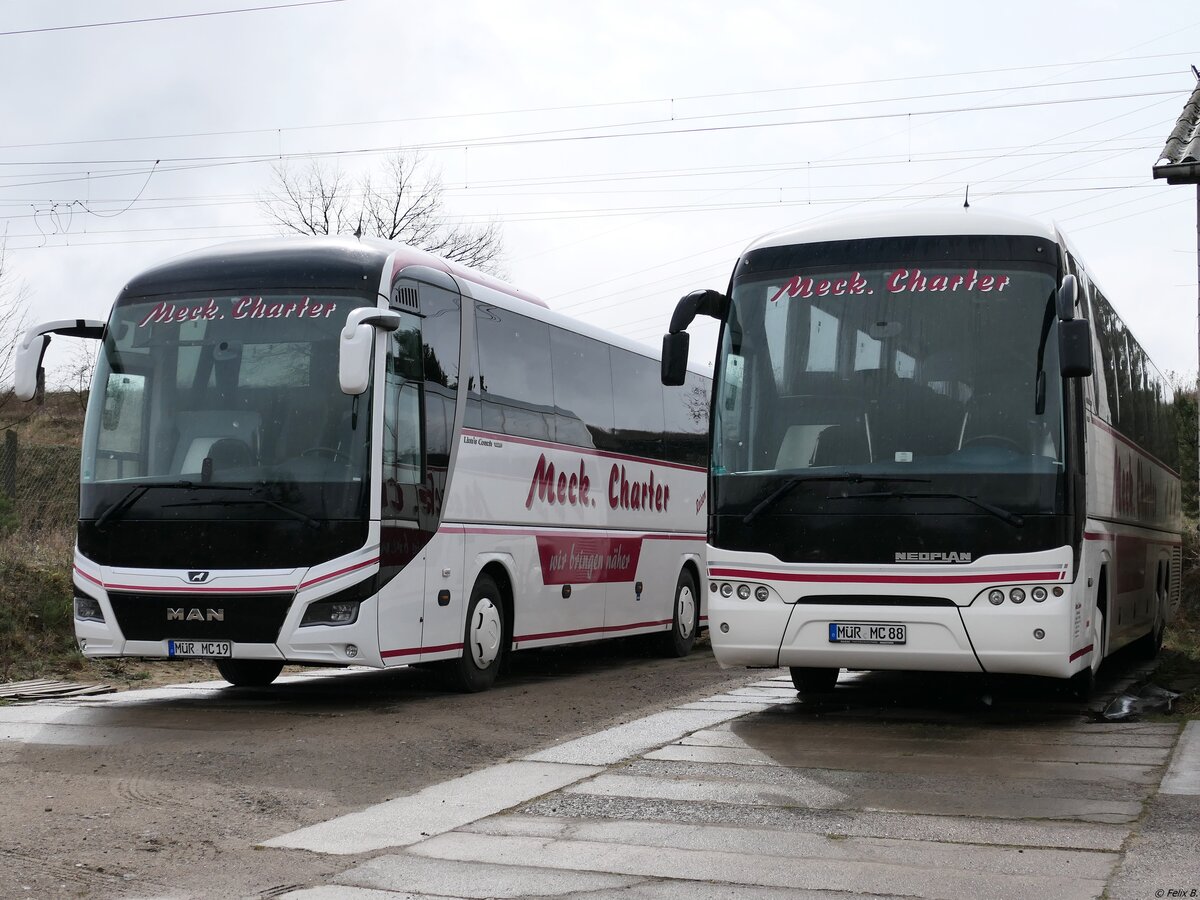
[397, 203]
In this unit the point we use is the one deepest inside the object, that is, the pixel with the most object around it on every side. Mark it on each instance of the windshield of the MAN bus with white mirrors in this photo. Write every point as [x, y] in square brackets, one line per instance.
[233, 392]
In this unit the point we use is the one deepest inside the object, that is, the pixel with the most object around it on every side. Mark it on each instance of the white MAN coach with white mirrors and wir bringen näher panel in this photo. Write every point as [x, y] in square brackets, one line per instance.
[331, 452]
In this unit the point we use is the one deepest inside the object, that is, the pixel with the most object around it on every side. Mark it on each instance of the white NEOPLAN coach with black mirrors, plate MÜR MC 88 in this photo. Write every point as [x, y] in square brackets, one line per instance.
[915, 465]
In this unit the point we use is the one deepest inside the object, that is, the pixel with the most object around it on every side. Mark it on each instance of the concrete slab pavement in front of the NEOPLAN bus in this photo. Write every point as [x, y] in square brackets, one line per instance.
[753, 795]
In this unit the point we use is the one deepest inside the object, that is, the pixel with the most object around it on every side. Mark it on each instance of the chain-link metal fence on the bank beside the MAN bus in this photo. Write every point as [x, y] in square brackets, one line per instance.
[41, 484]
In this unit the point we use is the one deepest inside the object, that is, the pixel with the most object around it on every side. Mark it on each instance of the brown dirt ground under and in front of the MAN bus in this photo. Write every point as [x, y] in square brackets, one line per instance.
[171, 799]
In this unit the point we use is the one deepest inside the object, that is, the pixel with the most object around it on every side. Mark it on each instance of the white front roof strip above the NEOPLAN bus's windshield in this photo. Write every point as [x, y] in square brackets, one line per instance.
[907, 224]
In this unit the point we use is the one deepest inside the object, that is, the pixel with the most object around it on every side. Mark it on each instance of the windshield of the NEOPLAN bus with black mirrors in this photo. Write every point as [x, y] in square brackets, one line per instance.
[919, 359]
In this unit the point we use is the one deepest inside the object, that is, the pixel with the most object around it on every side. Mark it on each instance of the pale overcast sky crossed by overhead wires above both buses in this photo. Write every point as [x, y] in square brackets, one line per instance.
[631, 151]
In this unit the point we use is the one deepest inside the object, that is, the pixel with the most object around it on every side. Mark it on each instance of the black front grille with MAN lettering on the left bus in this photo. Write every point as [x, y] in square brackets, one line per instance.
[242, 619]
